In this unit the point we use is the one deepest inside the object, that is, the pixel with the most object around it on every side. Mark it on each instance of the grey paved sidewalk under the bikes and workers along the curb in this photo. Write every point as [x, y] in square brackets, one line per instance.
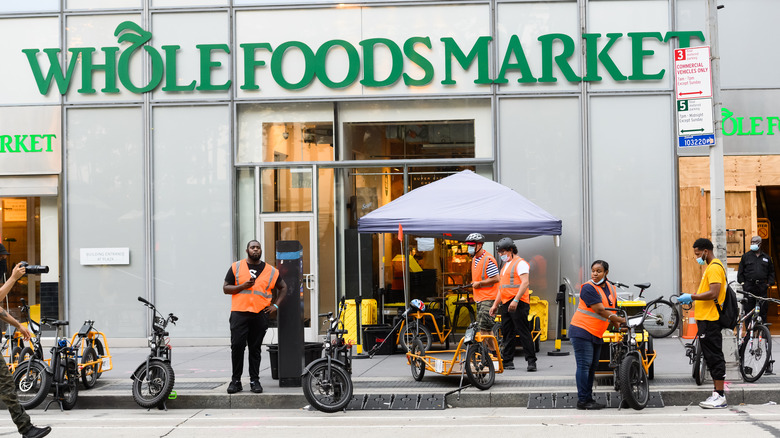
[202, 375]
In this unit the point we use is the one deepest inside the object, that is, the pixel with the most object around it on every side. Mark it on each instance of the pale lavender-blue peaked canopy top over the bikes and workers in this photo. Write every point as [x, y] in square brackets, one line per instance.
[461, 204]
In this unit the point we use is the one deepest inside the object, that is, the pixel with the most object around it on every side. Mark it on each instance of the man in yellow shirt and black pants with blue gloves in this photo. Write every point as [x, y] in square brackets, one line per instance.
[712, 287]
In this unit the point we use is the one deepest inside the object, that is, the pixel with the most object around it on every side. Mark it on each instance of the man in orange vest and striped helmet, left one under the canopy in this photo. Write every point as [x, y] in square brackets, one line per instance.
[484, 281]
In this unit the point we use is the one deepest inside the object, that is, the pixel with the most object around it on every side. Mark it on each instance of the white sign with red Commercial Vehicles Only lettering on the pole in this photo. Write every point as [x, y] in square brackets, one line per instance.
[692, 73]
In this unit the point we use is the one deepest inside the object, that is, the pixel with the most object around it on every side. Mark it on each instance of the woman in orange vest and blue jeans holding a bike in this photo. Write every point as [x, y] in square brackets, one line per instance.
[587, 328]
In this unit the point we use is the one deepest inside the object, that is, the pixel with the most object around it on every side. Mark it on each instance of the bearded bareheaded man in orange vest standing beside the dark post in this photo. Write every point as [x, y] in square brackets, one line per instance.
[251, 282]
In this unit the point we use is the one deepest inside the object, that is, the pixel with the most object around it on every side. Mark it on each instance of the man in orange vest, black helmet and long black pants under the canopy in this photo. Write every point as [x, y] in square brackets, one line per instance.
[513, 304]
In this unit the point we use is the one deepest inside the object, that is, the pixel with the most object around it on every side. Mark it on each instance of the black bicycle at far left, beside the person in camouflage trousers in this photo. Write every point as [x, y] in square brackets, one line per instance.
[34, 379]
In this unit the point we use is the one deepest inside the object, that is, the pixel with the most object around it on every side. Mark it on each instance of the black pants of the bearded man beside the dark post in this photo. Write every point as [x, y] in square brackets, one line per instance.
[247, 329]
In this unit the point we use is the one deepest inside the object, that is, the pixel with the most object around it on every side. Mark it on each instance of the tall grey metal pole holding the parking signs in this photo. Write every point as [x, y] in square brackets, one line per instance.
[717, 185]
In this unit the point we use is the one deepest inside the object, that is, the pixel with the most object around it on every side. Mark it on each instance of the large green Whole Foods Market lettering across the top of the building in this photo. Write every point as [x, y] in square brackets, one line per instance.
[557, 50]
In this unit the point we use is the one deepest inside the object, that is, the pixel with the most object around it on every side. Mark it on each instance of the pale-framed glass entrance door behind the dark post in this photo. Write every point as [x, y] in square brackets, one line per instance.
[300, 227]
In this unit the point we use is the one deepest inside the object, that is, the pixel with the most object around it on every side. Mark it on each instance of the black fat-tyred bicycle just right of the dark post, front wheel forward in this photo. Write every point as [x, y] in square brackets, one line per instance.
[327, 381]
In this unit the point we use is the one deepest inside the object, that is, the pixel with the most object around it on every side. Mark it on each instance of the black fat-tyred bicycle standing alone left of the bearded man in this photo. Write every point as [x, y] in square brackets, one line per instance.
[153, 380]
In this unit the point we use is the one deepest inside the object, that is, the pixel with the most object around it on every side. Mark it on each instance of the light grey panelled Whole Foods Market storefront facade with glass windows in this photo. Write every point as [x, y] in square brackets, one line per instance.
[208, 123]
